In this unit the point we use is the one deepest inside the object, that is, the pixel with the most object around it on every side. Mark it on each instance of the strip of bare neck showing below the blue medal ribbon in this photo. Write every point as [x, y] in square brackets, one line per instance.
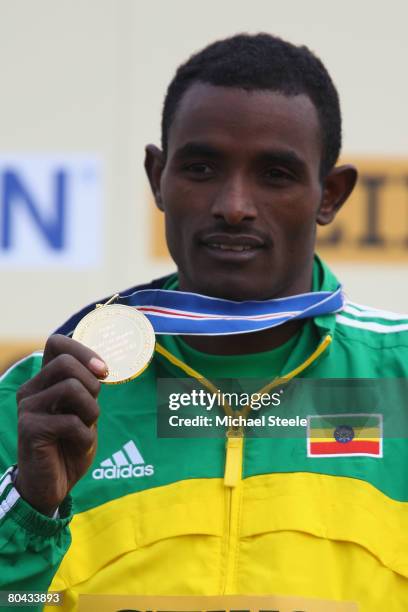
[241, 344]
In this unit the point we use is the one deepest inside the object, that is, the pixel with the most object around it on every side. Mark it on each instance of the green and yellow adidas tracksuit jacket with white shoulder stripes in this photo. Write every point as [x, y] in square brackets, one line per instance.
[205, 516]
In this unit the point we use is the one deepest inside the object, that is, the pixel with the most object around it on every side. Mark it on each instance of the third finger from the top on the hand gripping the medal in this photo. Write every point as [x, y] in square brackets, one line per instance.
[65, 397]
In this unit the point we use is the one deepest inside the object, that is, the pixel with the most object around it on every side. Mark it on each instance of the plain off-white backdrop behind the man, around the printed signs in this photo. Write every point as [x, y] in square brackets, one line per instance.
[89, 77]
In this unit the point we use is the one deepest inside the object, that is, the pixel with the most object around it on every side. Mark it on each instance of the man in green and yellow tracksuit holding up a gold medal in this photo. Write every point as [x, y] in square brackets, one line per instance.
[251, 135]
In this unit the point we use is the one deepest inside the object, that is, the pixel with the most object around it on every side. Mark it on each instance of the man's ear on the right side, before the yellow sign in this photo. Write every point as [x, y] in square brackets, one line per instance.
[337, 186]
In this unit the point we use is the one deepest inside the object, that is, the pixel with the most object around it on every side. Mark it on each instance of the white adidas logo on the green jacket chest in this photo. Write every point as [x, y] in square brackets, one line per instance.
[126, 463]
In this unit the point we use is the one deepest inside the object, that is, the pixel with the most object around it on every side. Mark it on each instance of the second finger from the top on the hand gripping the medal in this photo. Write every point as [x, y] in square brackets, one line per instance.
[59, 369]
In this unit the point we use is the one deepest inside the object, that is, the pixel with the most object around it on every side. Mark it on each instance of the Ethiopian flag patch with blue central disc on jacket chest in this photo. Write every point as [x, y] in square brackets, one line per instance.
[344, 435]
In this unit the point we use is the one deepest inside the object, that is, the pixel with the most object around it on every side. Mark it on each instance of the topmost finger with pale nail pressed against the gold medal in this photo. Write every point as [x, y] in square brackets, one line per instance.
[58, 345]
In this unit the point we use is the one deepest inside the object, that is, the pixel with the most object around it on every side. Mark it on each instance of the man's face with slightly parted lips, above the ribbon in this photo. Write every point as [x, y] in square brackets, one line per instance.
[241, 192]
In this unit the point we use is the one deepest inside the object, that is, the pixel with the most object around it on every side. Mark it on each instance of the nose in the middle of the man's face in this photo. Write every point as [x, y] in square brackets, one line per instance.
[234, 202]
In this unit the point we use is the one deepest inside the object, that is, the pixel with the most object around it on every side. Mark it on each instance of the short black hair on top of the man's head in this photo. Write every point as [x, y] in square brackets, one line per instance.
[264, 62]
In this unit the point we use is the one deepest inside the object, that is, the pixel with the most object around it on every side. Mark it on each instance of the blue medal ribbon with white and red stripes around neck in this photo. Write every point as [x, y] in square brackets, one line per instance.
[178, 312]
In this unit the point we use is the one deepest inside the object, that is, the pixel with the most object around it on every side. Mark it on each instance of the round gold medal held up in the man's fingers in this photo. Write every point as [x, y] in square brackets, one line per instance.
[122, 336]
